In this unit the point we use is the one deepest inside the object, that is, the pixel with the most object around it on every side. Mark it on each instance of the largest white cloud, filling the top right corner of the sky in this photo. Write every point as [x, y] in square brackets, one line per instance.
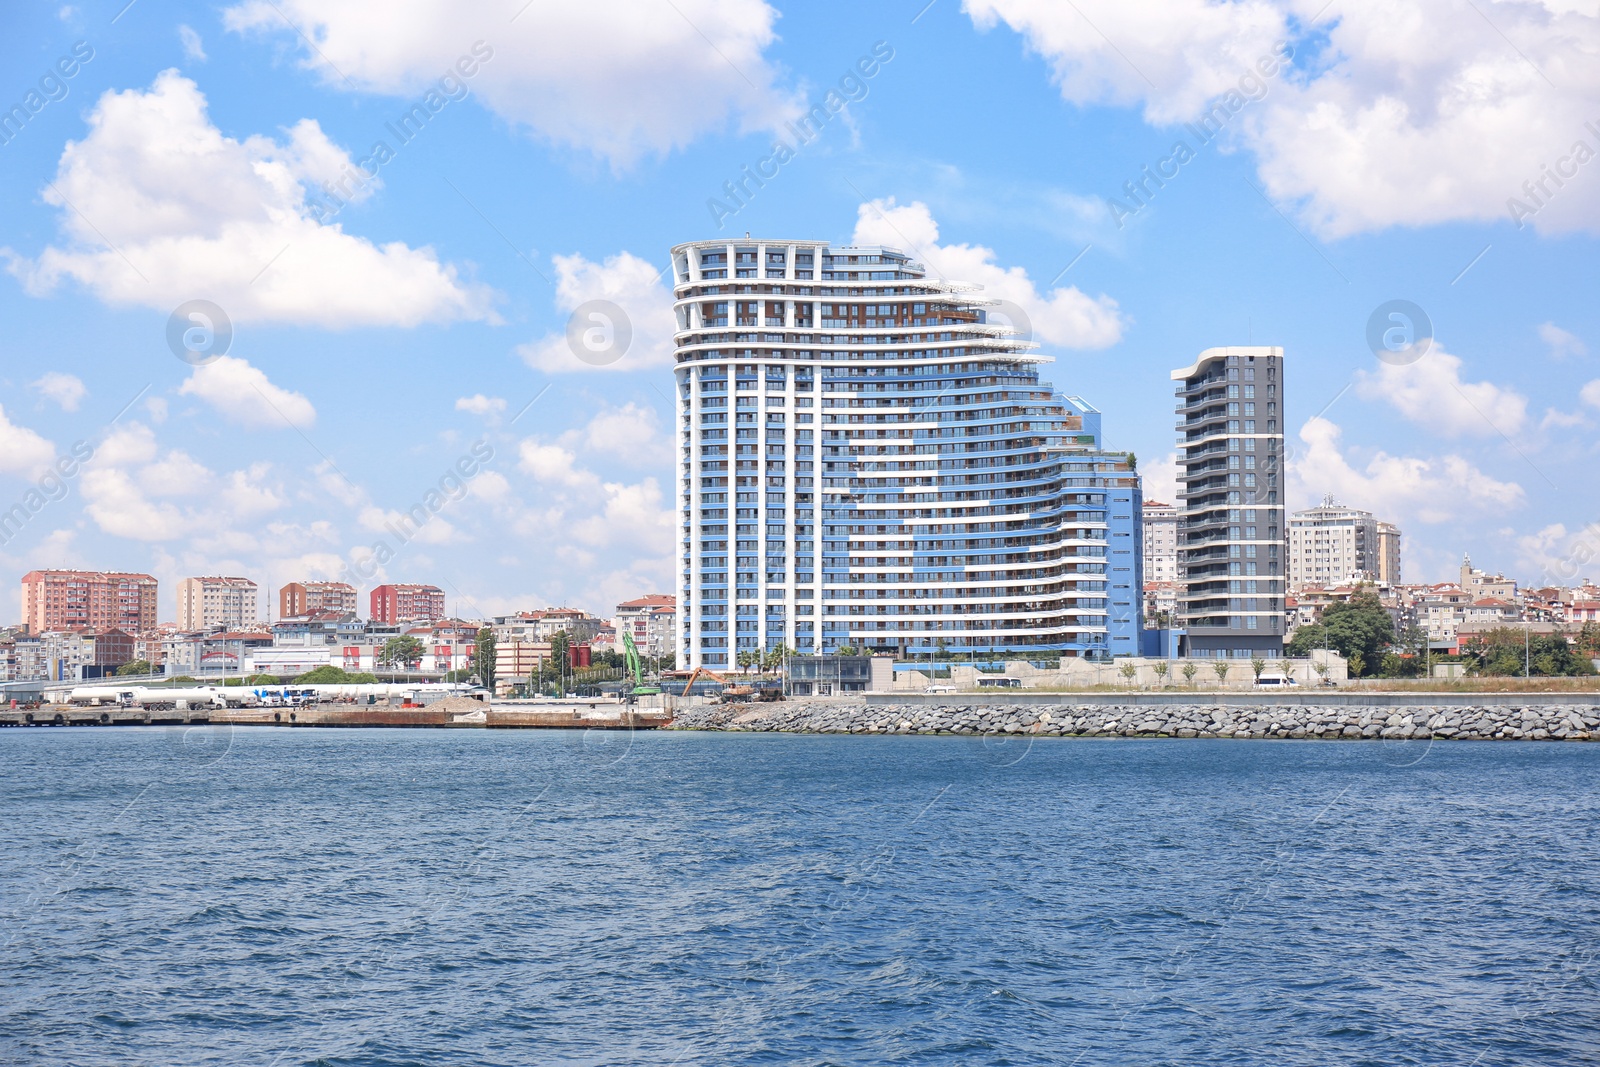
[1382, 124]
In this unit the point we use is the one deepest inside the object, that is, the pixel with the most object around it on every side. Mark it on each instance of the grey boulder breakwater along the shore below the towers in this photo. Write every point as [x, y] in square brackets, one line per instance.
[1490, 722]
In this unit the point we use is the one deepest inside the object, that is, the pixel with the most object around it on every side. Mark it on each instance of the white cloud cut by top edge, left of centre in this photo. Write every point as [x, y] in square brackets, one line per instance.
[615, 78]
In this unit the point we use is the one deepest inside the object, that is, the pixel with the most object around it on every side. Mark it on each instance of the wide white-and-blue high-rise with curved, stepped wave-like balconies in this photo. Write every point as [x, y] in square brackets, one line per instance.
[866, 462]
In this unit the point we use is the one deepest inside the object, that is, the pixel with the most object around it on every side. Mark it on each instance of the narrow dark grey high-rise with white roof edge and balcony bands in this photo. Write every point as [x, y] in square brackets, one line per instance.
[1231, 530]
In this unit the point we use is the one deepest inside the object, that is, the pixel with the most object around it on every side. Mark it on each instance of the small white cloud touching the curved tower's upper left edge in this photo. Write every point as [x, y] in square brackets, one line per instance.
[628, 282]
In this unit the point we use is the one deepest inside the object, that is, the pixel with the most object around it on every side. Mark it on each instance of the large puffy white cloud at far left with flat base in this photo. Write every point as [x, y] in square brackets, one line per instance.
[190, 214]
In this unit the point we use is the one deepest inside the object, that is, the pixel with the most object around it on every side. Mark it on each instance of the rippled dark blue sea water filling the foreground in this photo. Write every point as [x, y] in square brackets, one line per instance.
[295, 897]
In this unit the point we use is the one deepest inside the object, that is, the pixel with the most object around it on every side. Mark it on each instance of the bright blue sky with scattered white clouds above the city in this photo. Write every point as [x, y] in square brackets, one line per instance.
[255, 316]
